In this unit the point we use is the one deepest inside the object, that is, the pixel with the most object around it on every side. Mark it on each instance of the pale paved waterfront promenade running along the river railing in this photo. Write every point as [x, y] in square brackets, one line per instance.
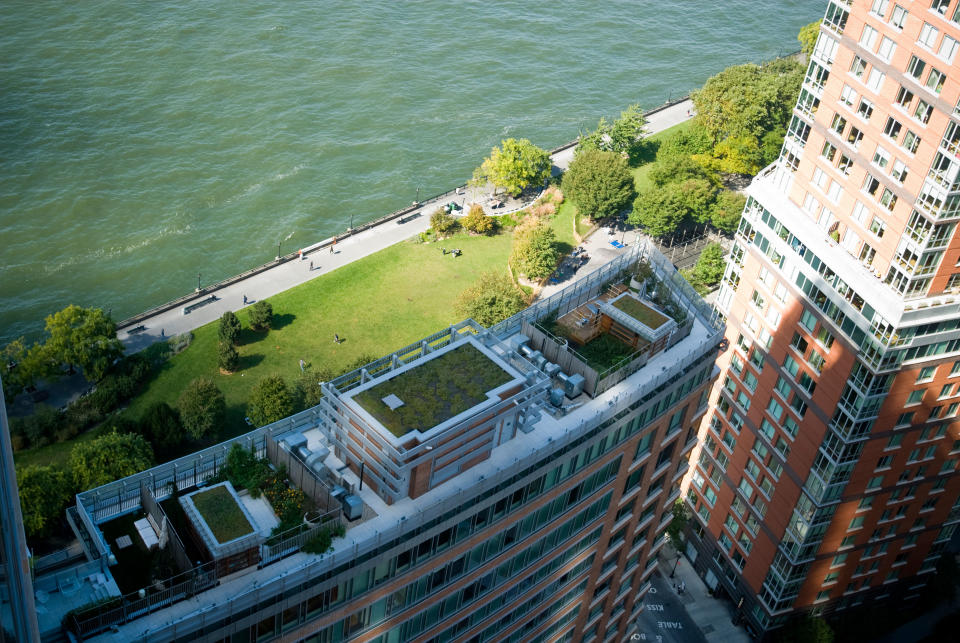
[263, 283]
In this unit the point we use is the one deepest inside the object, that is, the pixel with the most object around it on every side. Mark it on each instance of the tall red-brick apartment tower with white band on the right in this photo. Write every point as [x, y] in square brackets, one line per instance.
[826, 474]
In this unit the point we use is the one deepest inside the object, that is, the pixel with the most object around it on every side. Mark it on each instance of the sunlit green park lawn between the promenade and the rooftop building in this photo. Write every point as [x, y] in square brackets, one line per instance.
[376, 305]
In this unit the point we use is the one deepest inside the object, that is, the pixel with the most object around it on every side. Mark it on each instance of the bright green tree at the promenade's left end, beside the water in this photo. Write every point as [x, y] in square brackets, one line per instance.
[82, 337]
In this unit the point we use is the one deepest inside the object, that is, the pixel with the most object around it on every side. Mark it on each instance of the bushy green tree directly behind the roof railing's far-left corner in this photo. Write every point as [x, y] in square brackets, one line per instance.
[107, 458]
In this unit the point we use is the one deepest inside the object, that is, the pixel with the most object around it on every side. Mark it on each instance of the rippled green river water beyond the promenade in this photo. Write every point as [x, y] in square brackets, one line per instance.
[142, 143]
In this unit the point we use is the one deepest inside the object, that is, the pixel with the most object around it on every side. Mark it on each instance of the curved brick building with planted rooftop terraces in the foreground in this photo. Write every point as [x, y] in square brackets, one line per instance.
[501, 484]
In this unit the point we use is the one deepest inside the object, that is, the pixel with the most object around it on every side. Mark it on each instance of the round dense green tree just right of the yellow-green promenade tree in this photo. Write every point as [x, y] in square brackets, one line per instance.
[599, 182]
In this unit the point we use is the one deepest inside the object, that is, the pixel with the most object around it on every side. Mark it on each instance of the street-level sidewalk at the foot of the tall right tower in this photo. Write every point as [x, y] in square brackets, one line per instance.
[713, 616]
